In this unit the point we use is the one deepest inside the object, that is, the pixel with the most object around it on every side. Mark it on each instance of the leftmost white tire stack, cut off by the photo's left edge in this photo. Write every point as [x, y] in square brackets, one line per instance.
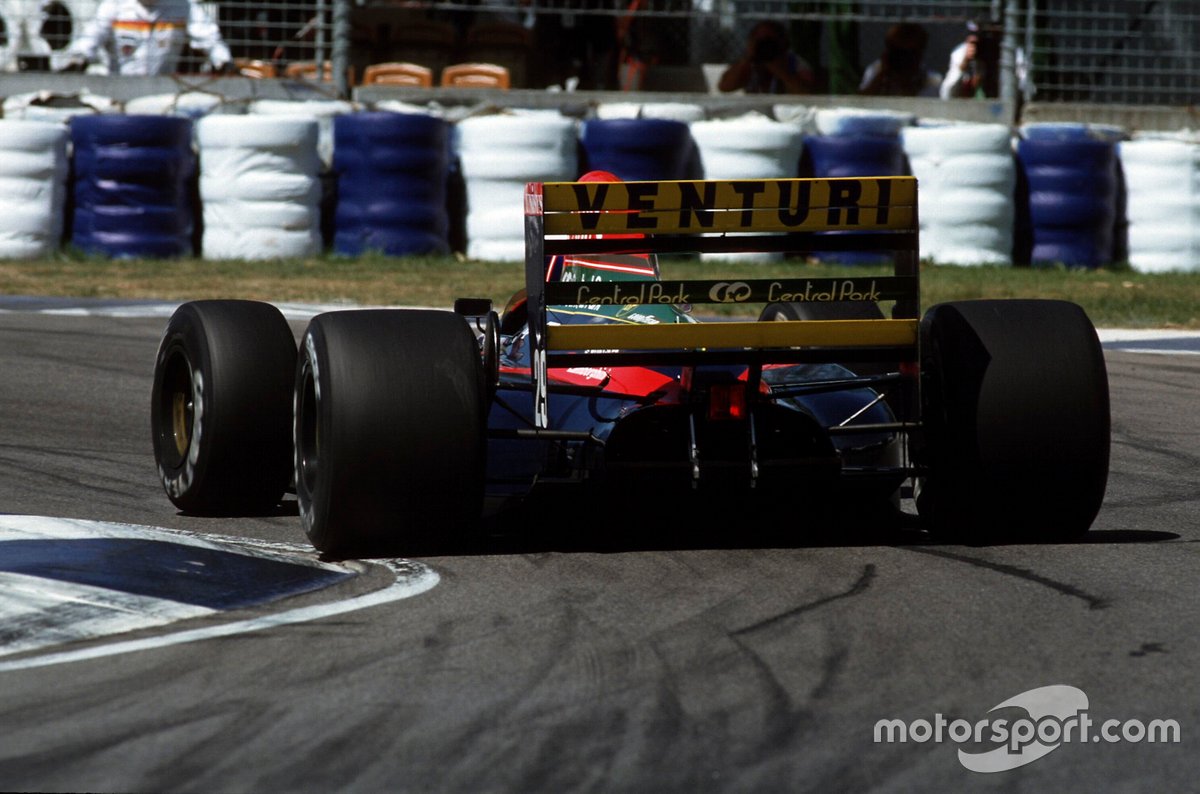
[34, 169]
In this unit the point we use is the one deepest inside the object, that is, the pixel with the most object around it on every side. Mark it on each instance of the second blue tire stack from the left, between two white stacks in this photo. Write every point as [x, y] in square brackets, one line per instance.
[392, 184]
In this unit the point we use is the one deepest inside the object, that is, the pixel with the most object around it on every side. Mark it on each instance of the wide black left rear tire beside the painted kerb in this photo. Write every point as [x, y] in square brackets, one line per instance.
[391, 432]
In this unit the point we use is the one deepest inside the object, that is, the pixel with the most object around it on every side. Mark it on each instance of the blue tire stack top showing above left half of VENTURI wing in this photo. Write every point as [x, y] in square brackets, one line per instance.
[640, 149]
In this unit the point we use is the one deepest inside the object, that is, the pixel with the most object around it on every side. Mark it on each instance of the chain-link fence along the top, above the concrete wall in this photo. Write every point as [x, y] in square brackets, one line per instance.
[1113, 52]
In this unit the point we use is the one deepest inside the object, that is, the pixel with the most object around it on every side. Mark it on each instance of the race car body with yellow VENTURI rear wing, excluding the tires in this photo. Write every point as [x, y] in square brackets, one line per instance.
[613, 383]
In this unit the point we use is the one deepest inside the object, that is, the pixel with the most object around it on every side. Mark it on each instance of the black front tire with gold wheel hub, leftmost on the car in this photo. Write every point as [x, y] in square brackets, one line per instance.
[221, 411]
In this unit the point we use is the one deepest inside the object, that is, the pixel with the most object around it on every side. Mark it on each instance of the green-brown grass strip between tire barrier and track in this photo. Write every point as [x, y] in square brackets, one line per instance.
[1117, 298]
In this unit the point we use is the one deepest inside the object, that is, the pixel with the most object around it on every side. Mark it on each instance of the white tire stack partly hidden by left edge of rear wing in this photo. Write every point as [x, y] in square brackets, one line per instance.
[499, 155]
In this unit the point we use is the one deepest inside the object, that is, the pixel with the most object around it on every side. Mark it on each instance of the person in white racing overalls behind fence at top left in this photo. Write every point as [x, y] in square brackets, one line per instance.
[147, 38]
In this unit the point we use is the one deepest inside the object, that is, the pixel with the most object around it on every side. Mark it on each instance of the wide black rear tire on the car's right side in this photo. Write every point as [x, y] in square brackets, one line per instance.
[1016, 405]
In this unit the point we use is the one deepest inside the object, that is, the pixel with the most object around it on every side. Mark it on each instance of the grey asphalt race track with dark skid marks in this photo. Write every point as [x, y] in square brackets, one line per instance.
[683, 658]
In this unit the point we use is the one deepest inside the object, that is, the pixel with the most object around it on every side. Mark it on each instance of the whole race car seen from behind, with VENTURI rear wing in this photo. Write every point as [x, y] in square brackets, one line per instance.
[400, 426]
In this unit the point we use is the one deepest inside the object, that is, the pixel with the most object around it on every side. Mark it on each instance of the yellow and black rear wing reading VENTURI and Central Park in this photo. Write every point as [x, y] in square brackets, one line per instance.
[877, 214]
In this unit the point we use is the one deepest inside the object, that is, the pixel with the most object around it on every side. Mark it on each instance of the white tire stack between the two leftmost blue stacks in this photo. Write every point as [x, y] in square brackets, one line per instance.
[260, 188]
